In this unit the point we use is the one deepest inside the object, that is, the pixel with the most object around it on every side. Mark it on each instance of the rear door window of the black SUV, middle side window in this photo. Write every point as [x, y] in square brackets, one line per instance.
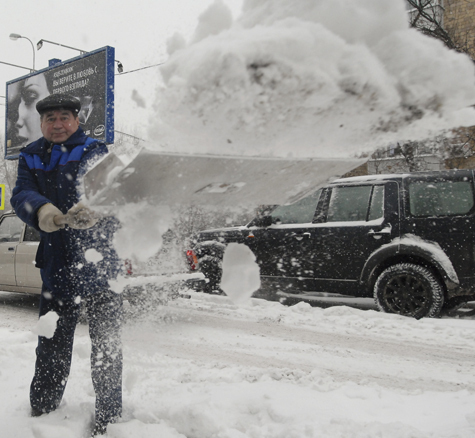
[357, 203]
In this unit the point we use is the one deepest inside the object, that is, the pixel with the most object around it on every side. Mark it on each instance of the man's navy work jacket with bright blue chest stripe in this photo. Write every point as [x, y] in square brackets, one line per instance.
[50, 173]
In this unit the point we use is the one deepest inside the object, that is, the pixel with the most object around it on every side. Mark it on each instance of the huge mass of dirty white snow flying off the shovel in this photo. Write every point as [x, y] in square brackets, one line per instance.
[308, 78]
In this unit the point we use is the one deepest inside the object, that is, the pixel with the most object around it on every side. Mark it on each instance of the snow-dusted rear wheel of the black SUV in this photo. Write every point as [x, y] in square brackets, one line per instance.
[410, 290]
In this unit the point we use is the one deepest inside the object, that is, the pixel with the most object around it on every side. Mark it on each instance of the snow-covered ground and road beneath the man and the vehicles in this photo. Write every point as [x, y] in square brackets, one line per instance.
[206, 368]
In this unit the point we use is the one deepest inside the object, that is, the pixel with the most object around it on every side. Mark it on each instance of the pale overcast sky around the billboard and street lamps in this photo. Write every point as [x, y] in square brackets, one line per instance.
[137, 29]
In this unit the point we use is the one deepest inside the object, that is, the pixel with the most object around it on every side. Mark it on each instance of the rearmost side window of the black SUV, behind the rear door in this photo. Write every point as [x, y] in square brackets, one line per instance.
[440, 198]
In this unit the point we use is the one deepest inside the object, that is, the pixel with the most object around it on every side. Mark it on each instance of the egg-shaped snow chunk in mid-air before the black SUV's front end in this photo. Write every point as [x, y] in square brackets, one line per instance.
[240, 277]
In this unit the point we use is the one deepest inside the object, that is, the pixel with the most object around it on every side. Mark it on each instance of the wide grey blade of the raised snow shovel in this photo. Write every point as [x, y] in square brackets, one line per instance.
[218, 181]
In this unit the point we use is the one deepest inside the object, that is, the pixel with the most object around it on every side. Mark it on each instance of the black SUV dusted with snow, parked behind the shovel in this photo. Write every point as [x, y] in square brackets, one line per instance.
[406, 239]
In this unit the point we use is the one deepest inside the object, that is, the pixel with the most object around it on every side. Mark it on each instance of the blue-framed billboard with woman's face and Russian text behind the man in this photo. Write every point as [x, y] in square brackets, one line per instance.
[88, 77]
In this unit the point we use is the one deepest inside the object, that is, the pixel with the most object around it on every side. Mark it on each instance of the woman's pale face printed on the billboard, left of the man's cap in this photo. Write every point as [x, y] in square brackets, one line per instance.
[28, 123]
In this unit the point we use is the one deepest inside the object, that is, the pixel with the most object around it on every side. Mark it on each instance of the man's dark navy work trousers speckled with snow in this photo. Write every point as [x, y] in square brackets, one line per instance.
[53, 356]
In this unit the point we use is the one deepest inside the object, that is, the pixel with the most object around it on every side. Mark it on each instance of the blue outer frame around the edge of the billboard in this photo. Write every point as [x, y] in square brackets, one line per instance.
[109, 87]
